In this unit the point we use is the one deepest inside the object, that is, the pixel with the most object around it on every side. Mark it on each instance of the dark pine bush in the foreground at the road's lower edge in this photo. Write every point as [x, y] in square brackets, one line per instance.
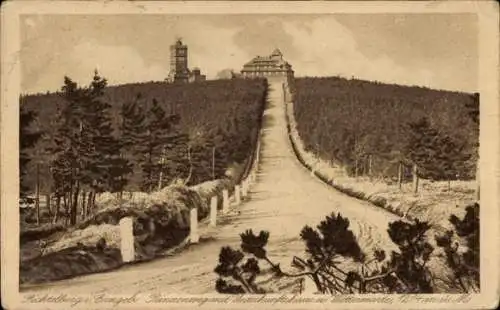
[403, 272]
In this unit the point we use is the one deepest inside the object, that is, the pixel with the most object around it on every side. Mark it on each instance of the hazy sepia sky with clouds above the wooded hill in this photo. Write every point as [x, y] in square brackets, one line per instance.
[432, 50]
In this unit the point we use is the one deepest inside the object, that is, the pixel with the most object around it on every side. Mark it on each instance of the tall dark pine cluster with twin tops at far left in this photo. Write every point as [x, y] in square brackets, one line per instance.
[86, 155]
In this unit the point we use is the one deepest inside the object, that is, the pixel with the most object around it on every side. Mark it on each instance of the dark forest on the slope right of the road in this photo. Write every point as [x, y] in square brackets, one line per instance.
[384, 130]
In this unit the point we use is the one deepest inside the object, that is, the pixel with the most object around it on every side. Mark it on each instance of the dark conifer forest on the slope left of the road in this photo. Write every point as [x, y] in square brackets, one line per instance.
[87, 139]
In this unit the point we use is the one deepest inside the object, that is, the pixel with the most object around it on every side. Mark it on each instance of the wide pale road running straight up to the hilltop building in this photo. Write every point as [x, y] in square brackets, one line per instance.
[284, 199]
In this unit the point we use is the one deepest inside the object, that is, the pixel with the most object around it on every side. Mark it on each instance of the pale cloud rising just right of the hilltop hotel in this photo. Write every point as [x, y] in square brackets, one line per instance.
[324, 47]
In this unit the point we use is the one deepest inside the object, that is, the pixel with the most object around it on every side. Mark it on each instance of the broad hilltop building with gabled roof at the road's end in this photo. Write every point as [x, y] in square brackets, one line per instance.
[272, 66]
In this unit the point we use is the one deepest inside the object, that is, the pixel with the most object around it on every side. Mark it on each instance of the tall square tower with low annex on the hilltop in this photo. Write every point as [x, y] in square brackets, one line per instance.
[179, 69]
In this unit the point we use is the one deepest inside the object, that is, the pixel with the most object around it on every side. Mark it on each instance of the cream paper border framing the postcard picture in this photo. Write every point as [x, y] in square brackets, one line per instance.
[488, 88]
